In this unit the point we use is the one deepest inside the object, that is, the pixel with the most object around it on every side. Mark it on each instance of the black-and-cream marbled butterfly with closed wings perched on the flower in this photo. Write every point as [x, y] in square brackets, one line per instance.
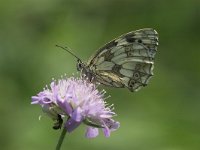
[125, 62]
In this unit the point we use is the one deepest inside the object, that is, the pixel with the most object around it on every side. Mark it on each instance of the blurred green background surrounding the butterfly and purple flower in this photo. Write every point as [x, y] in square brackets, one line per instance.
[165, 115]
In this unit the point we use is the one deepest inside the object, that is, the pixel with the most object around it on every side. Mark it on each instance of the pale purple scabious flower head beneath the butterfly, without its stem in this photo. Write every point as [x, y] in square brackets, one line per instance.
[80, 102]
